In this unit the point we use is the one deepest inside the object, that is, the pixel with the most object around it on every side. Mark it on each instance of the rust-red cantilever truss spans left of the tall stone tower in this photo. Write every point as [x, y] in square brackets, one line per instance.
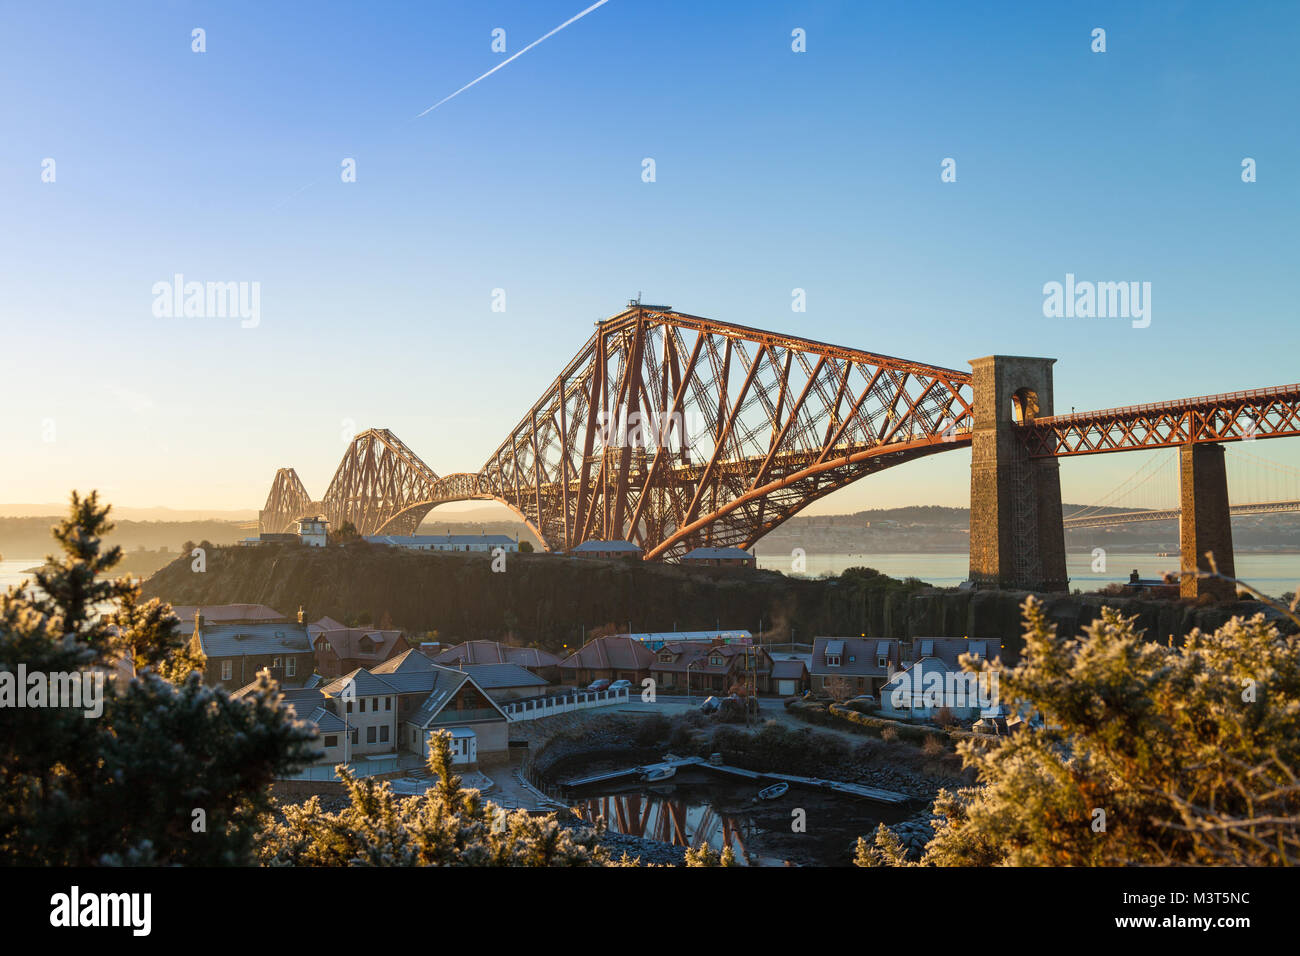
[670, 431]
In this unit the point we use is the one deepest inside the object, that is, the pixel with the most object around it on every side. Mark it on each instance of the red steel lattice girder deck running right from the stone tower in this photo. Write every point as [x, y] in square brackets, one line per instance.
[1273, 413]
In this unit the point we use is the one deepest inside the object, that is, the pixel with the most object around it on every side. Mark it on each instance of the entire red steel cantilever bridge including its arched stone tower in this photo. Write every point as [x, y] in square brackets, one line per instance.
[674, 431]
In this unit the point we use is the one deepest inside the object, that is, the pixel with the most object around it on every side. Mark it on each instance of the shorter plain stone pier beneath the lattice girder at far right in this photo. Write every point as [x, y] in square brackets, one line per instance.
[1206, 524]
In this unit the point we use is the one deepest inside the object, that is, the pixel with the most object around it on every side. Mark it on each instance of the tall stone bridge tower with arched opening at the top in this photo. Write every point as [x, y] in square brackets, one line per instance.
[1017, 533]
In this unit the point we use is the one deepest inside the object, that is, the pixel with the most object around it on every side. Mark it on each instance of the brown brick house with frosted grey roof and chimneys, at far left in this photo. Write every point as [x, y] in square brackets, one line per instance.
[237, 650]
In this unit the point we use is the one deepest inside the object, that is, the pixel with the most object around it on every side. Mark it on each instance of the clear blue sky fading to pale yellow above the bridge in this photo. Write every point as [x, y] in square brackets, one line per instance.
[775, 171]
